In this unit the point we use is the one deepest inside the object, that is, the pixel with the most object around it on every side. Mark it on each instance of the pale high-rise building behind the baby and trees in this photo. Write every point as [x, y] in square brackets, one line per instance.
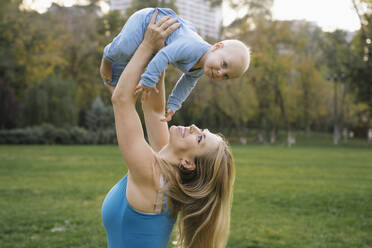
[206, 19]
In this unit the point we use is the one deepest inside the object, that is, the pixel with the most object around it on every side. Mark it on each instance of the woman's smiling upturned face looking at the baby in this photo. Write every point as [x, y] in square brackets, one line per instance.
[191, 141]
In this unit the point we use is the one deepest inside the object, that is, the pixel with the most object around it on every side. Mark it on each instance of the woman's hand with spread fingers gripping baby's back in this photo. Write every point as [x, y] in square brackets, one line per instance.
[157, 33]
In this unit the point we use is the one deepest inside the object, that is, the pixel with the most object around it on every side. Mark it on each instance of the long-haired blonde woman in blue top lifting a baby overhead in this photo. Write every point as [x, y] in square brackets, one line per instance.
[187, 172]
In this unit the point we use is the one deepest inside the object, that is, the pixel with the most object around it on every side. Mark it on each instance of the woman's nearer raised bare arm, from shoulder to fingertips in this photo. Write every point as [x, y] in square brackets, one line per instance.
[135, 151]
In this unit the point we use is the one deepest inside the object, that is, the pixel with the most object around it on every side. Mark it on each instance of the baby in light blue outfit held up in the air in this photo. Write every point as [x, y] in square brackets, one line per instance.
[184, 48]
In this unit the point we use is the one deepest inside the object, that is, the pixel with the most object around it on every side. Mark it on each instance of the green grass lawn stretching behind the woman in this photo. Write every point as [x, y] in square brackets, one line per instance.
[304, 196]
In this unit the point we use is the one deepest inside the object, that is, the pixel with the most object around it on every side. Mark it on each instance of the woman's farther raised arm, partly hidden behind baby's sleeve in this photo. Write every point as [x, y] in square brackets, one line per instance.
[153, 110]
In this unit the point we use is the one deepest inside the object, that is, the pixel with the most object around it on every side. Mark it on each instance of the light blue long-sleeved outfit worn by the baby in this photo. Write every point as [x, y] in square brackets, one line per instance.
[183, 49]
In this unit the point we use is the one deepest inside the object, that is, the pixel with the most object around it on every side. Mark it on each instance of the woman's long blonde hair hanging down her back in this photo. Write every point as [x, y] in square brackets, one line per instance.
[202, 198]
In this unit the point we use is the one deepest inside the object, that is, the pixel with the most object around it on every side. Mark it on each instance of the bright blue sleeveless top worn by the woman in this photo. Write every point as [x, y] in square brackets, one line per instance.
[129, 228]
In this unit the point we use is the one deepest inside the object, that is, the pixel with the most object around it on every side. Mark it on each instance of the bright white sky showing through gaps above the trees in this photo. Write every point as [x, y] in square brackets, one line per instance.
[328, 14]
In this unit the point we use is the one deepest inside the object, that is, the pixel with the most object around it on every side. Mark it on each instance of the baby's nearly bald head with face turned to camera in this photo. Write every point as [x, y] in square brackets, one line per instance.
[226, 60]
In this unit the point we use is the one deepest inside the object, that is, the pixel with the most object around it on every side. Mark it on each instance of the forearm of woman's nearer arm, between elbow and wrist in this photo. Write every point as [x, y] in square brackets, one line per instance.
[124, 90]
